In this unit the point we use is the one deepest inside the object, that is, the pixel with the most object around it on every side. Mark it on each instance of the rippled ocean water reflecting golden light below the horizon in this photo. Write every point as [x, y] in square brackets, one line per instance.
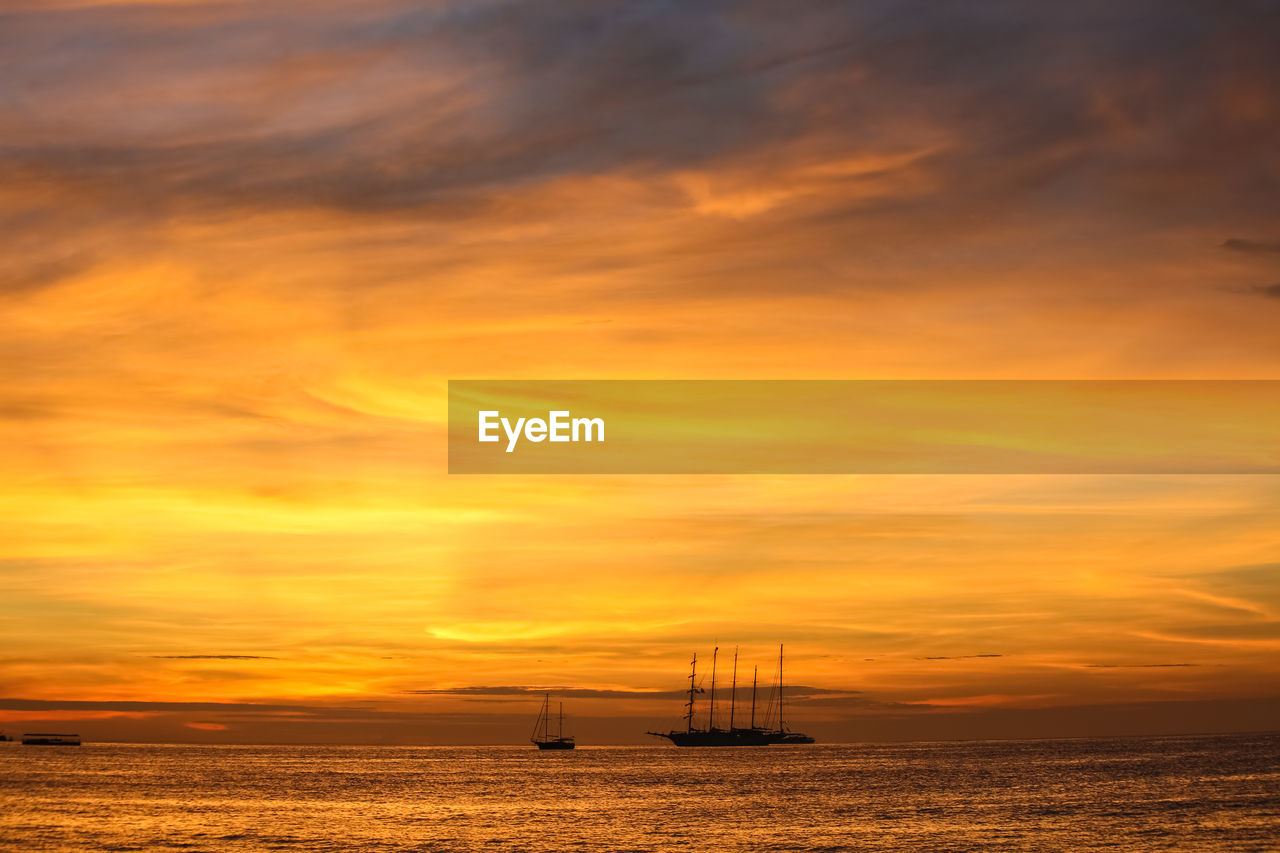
[1203, 793]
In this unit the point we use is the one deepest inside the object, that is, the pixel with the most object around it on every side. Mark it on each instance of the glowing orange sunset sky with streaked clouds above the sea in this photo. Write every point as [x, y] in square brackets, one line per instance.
[249, 244]
